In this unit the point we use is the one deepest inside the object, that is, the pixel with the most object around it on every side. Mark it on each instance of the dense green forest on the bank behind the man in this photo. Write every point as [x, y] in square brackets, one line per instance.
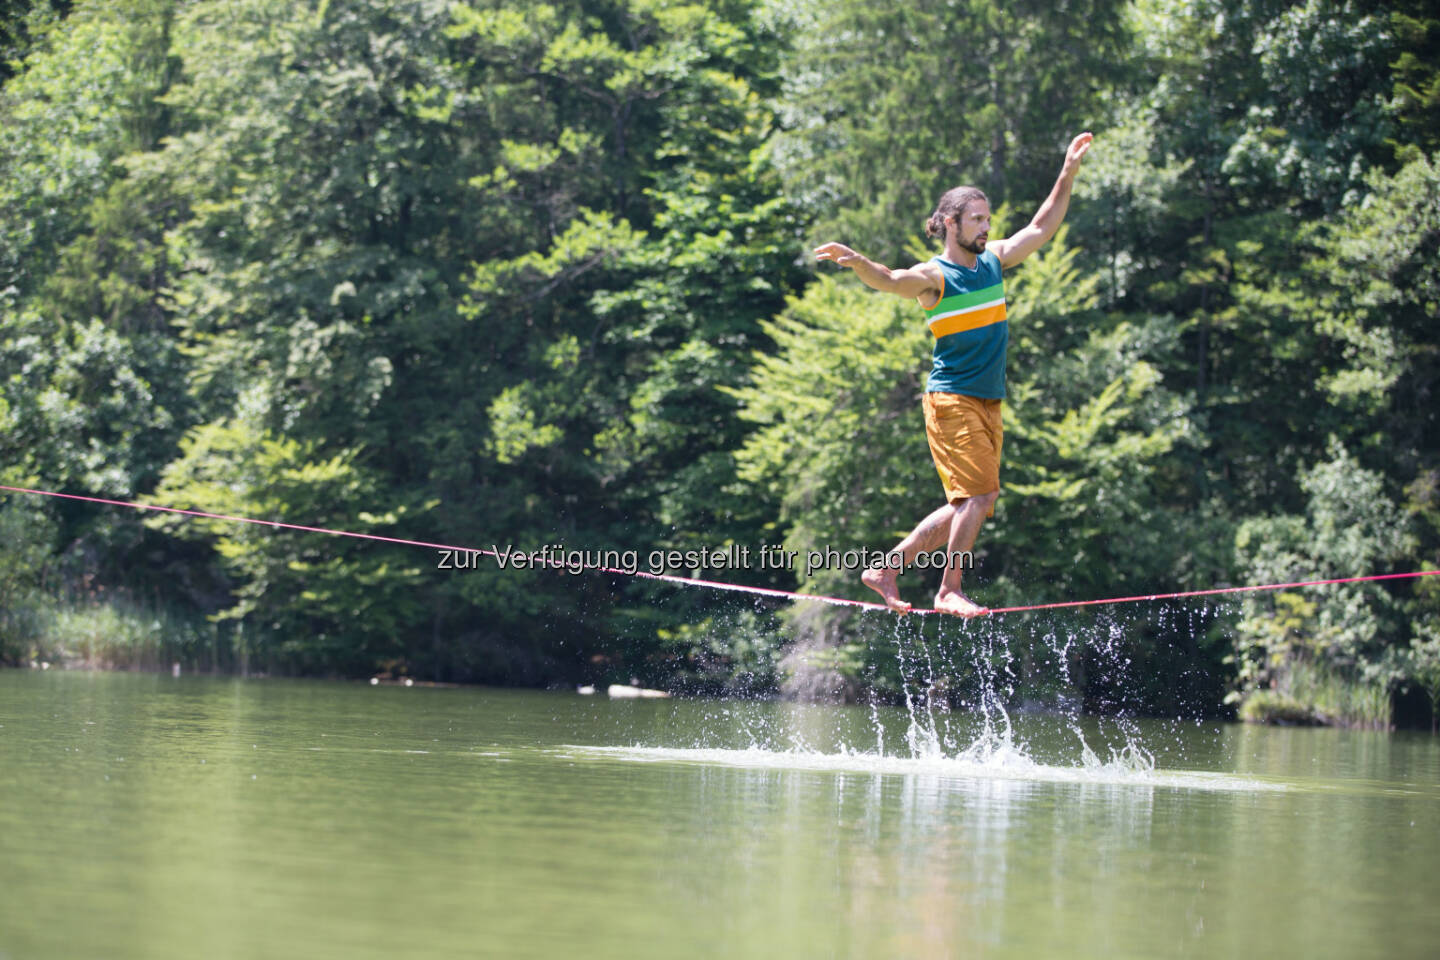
[539, 274]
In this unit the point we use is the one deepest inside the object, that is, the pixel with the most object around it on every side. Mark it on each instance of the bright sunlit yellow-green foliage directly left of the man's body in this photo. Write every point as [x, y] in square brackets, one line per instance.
[842, 441]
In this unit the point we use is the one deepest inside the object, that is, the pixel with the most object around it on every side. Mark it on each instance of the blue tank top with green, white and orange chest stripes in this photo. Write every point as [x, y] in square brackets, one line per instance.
[970, 330]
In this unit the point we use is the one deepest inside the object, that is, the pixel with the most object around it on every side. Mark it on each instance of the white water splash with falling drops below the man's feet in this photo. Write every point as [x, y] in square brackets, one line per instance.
[978, 699]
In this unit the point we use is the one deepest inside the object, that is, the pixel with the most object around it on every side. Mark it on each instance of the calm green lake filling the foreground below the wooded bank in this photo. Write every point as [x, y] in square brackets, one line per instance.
[155, 817]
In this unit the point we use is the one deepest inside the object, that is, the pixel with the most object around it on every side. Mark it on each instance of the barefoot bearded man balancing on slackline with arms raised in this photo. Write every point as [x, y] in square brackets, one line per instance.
[964, 299]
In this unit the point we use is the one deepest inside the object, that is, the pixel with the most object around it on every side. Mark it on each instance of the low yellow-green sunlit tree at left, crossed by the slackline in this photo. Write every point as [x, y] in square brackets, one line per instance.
[320, 604]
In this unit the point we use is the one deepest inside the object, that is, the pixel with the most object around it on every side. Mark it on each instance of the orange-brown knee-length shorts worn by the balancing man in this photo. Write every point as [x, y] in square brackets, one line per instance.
[966, 441]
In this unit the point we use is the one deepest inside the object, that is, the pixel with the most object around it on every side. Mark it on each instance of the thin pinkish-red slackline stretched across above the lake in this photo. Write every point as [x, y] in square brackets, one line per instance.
[714, 585]
